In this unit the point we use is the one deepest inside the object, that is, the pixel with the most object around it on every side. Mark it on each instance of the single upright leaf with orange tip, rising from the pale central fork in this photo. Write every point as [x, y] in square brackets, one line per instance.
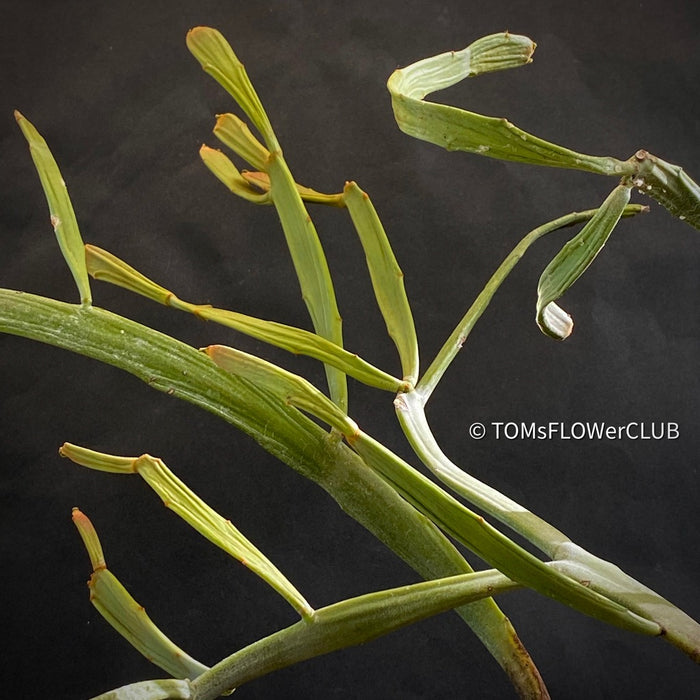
[387, 278]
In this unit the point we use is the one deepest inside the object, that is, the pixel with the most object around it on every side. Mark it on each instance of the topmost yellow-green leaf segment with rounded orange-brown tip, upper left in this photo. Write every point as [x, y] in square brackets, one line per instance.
[217, 58]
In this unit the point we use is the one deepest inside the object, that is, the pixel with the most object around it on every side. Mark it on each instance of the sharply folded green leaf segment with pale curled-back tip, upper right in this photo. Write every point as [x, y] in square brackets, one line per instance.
[457, 129]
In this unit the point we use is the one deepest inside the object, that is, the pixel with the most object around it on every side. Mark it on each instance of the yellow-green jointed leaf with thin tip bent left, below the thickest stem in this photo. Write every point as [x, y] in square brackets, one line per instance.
[193, 510]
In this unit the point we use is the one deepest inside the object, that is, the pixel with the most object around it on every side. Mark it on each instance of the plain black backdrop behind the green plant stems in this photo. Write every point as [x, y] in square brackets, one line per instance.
[125, 107]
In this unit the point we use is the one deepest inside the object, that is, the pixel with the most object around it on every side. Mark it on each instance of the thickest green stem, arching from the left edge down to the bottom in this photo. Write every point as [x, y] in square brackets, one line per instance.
[178, 369]
